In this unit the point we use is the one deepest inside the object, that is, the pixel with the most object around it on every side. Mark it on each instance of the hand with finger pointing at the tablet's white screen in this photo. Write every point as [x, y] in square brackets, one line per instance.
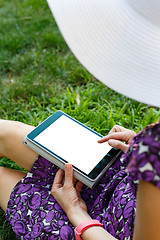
[117, 136]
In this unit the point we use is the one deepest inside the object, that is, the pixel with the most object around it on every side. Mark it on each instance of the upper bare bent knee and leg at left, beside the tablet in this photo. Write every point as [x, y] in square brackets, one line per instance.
[11, 146]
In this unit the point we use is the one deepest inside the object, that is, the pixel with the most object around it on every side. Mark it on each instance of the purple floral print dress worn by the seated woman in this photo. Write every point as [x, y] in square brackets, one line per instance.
[34, 214]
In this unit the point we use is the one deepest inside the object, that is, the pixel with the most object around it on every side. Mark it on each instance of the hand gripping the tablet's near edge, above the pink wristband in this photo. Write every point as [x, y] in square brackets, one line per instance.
[65, 193]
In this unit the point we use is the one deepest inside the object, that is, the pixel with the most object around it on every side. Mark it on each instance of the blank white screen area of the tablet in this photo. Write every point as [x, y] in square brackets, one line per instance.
[74, 143]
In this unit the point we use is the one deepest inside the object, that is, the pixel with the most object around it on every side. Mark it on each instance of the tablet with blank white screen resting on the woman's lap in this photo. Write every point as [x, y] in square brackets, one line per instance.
[61, 138]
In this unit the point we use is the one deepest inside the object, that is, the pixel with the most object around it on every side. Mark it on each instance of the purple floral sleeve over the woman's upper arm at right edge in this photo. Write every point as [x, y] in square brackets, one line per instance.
[144, 155]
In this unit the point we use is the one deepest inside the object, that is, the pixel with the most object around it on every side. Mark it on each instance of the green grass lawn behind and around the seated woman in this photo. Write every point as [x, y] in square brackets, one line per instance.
[39, 75]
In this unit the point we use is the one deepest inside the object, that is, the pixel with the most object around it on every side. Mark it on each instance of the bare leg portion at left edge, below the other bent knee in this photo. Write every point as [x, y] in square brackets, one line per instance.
[9, 178]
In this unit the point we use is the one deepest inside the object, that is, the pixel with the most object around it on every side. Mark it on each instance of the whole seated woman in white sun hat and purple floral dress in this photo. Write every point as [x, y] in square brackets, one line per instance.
[118, 42]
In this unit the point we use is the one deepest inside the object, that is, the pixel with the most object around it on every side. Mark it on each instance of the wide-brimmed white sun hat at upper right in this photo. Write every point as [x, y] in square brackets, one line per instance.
[117, 41]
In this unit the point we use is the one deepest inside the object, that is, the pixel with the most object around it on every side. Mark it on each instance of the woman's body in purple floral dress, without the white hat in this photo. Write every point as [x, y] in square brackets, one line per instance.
[35, 214]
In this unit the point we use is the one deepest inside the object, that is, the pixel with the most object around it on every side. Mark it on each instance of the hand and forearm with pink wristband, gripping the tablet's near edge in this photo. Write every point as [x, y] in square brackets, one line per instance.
[73, 205]
